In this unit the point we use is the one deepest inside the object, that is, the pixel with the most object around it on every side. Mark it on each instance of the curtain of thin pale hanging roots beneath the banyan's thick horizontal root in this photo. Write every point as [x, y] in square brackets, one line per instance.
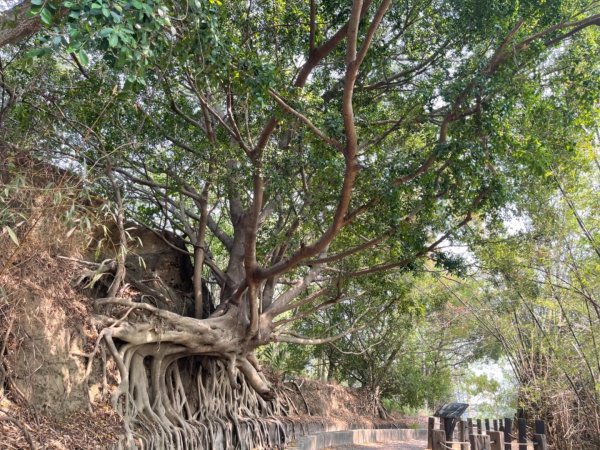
[172, 399]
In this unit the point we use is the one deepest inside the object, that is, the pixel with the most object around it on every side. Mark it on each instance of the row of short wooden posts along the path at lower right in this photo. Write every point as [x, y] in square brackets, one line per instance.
[498, 434]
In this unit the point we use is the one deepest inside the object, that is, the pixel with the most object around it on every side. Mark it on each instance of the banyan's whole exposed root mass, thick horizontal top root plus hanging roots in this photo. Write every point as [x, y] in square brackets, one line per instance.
[188, 383]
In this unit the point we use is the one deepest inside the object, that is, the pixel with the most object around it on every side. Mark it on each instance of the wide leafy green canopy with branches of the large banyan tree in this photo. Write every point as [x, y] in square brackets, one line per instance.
[287, 137]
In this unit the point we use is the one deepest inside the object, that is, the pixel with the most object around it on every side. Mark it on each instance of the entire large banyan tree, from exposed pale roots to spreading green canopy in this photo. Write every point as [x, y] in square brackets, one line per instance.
[306, 151]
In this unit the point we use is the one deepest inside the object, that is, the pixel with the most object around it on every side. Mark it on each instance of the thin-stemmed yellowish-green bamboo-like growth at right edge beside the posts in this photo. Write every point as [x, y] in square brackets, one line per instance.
[539, 291]
